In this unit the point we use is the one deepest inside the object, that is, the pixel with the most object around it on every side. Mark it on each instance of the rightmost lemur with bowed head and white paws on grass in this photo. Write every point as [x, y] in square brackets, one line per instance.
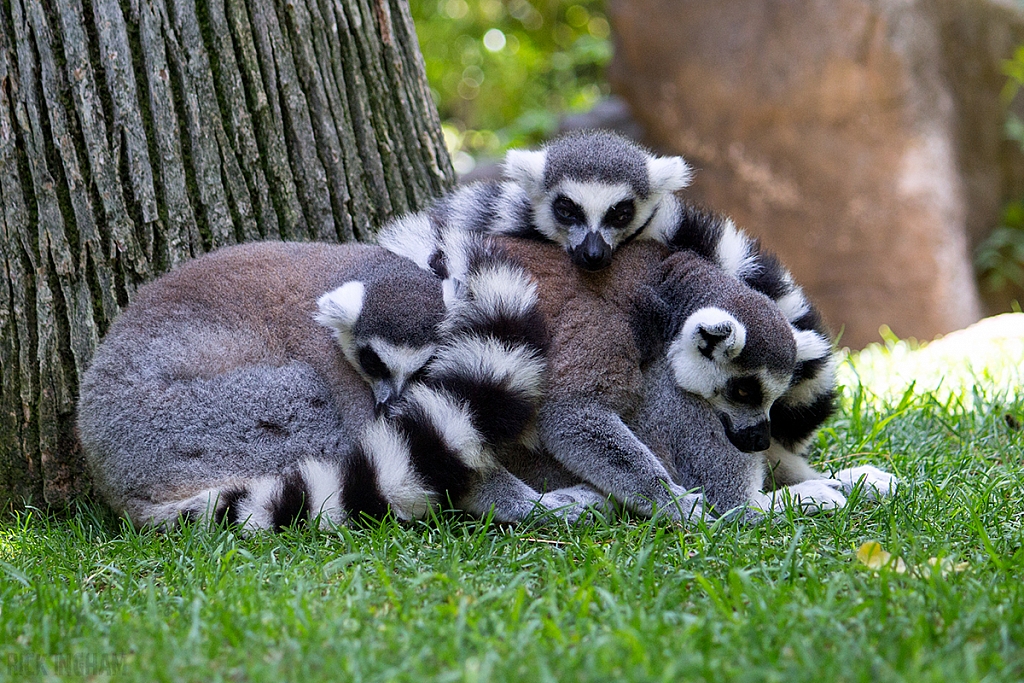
[727, 344]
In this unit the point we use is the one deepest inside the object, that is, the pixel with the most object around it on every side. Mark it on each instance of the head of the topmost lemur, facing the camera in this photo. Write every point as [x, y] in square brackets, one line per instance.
[594, 191]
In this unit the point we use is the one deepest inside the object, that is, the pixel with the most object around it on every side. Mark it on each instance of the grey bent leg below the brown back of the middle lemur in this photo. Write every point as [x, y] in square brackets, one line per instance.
[595, 445]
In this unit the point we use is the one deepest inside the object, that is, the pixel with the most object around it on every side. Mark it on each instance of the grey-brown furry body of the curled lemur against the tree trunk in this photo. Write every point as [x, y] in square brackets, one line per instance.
[218, 373]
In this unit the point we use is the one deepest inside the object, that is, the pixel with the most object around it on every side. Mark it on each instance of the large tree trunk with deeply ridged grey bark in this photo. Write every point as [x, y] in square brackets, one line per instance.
[136, 135]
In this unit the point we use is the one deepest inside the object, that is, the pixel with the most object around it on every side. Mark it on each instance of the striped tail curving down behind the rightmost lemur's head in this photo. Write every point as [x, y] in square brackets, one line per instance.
[812, 397]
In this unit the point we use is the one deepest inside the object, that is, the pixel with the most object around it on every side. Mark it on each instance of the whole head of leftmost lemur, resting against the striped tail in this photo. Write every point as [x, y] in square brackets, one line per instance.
[388, 328]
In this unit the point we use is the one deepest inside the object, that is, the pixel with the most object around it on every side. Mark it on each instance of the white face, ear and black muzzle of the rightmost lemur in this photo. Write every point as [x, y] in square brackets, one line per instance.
[704, 358]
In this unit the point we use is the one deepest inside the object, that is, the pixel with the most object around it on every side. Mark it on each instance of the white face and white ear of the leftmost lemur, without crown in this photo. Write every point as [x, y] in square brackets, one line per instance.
[387, 367]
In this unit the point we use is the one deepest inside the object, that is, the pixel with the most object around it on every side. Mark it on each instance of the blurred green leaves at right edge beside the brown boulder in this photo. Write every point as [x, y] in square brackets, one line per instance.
[1000, 260]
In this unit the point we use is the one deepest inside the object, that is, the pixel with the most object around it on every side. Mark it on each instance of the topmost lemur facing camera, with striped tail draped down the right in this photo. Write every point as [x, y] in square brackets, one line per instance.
[593, 192]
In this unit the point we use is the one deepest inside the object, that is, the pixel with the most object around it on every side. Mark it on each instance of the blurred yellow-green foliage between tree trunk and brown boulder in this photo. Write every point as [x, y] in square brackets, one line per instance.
[502, 72]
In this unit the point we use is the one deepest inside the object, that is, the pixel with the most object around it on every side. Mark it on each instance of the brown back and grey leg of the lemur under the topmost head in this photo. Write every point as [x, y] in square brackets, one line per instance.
[594, 381]
